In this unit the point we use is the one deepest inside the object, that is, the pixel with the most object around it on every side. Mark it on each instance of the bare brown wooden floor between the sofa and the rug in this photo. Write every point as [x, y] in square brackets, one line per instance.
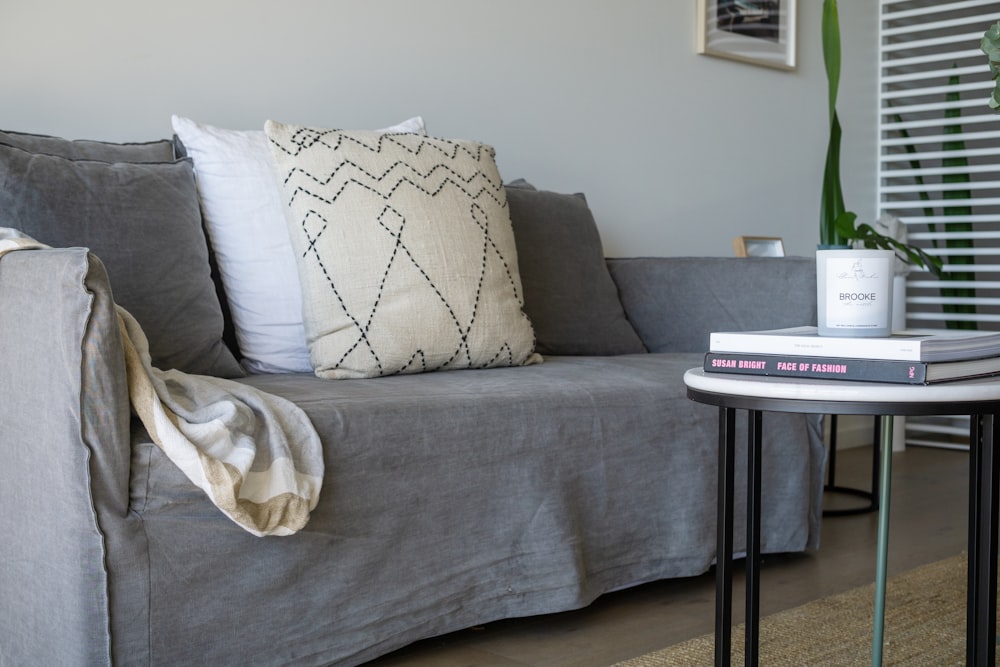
[928, 522]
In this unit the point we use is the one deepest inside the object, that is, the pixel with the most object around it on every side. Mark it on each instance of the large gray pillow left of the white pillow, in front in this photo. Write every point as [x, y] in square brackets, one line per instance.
[143, 221]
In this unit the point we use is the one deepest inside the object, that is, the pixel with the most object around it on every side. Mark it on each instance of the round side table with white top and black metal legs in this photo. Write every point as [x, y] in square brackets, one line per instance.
[979, 398]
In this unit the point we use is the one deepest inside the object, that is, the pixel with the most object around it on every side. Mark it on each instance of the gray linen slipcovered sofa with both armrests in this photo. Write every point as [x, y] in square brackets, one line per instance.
[450, 499]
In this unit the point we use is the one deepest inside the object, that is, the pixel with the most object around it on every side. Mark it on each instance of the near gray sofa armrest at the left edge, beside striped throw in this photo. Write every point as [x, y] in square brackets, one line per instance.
[64, 443]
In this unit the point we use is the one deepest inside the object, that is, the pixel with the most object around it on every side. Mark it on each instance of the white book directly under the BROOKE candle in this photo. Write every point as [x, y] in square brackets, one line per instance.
[908, 345]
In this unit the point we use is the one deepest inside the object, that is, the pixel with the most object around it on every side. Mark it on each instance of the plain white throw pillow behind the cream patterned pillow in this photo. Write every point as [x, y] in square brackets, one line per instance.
[246, 225]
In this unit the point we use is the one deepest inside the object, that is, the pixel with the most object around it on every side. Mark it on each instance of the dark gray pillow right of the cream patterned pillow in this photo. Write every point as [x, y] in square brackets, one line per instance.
[569, 296]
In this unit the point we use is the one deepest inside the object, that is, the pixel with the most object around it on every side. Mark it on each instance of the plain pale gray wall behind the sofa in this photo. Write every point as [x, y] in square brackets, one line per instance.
[677, 152]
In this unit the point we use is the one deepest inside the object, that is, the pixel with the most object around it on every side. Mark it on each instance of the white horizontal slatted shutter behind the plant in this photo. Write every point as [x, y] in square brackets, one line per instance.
[939, 168]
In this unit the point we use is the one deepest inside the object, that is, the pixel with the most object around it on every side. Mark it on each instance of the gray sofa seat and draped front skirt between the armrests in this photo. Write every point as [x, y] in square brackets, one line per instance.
[459, 497]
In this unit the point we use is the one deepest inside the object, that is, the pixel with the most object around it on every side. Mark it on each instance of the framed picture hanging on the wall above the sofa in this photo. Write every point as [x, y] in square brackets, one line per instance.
[760, 33]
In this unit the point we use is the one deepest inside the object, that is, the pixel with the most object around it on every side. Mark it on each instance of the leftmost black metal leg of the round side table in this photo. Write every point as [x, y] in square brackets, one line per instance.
[724, 538]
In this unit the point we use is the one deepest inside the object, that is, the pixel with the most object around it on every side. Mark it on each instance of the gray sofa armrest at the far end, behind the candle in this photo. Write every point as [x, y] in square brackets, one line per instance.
[674, 303]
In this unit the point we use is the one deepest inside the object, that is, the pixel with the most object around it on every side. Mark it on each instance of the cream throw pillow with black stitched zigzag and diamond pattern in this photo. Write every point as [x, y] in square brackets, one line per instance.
[405, 252]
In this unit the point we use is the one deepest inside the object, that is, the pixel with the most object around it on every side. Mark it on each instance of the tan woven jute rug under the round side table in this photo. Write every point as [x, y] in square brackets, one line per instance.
[925, 625]
